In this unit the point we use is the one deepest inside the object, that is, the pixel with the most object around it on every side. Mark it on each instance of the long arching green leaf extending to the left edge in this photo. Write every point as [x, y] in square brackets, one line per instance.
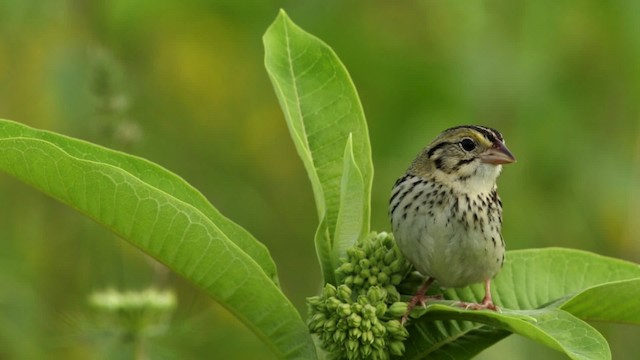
[162, 215]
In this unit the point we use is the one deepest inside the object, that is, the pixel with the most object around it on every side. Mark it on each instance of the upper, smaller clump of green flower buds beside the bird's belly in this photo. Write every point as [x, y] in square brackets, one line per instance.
[374, 261]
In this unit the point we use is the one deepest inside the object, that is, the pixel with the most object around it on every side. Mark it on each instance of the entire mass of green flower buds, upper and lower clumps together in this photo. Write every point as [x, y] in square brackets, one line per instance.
[358, 319]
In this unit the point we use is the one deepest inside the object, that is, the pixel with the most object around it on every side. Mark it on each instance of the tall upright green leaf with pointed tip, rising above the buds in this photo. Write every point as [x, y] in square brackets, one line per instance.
[322, 110]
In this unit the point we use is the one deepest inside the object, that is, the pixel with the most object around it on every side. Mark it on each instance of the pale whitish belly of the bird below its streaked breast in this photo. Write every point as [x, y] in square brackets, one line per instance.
[447, 245]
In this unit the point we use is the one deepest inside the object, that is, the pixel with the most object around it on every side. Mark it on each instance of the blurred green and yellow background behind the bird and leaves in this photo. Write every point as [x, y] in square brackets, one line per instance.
[182, 83]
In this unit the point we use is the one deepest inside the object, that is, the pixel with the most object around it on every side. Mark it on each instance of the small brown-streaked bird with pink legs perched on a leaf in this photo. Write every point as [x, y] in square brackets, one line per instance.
[446, 214]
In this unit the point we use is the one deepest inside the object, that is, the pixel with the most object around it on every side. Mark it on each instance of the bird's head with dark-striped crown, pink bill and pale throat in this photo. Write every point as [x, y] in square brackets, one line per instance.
[468, 158]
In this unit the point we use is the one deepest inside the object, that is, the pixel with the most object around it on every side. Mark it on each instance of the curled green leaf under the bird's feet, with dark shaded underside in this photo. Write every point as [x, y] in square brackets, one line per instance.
[554, 286]
